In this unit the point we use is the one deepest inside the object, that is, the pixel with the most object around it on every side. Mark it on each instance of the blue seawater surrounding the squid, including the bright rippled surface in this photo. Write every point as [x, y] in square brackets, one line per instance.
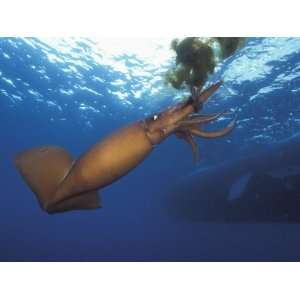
[73, 92]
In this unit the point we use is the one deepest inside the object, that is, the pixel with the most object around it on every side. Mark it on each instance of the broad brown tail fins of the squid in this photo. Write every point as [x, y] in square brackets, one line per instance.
[43, 169]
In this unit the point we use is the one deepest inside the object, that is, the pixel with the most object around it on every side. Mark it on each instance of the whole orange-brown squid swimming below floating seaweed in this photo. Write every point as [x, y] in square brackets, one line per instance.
[62, 184]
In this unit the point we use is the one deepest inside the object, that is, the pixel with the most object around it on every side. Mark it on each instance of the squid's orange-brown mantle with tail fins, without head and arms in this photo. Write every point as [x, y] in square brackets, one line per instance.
[61, 185]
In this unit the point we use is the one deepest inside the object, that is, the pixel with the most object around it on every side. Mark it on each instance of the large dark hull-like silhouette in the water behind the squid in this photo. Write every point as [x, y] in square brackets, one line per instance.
[262, 188]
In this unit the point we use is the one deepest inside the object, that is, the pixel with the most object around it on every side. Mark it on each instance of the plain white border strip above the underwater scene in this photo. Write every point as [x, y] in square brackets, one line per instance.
[156, 18]
